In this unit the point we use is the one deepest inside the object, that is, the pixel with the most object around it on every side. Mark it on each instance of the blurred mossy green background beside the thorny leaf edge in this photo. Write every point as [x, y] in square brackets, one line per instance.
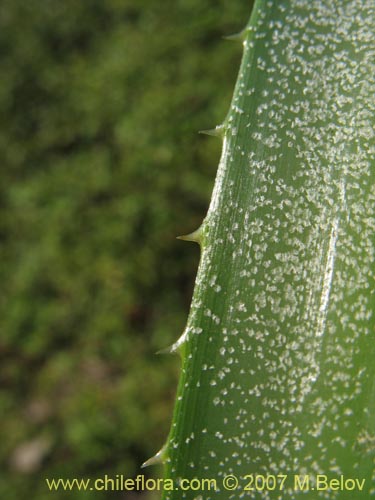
[101, 167]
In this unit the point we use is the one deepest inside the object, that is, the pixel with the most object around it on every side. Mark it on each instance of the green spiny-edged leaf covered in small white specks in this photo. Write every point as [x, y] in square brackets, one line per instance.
[278, 353]
